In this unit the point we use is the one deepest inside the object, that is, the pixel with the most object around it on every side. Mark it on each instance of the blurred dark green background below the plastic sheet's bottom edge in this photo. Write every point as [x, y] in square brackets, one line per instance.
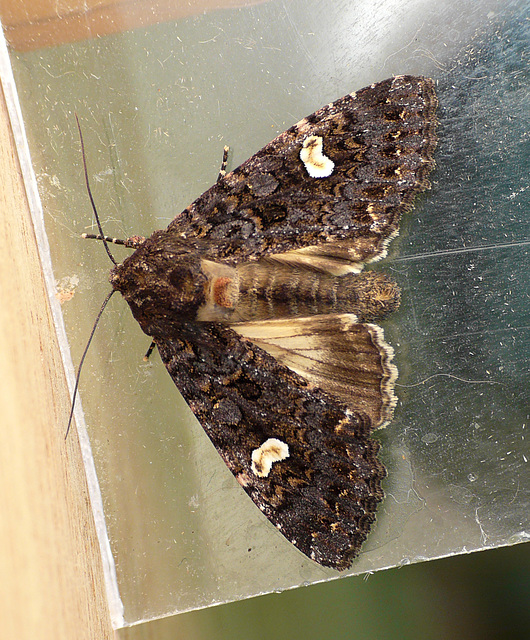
[481, 596]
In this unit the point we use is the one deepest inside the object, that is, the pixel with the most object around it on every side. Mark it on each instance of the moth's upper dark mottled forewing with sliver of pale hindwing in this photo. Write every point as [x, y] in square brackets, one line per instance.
[380, 141]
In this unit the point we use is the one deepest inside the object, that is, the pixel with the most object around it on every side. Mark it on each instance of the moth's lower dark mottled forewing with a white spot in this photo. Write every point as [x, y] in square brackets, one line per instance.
[323, 495]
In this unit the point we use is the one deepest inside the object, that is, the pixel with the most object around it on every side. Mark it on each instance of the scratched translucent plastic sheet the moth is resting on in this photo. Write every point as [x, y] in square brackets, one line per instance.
[156, 106]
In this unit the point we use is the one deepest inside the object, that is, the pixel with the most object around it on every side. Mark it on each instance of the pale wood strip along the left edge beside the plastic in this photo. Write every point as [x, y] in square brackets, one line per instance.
[51, 579]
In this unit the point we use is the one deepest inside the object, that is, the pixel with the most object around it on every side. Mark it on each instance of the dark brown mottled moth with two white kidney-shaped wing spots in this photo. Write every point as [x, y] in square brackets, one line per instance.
[256, 299]
